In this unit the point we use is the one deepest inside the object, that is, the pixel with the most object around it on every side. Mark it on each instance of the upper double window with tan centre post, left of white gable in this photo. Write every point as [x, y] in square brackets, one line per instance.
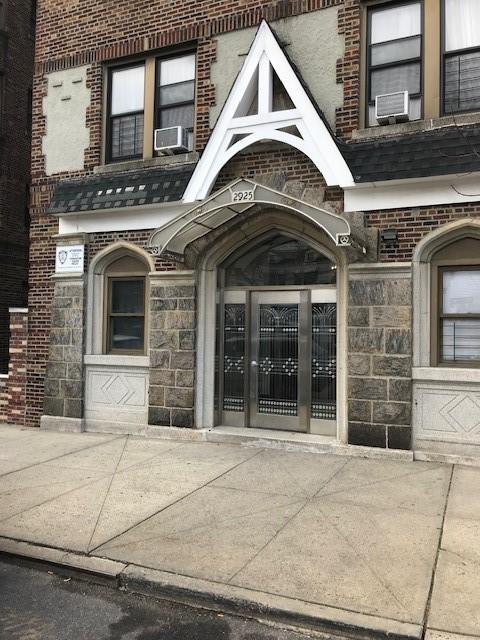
[156, 93]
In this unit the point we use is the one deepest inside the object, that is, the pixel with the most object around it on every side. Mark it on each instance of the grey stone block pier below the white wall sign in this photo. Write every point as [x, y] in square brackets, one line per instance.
[64, 376]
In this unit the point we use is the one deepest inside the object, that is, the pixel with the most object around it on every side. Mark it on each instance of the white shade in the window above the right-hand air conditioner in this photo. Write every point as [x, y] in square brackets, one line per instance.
[397, 22]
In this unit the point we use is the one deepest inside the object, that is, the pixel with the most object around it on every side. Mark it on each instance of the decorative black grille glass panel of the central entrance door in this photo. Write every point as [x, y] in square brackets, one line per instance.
[278, 359]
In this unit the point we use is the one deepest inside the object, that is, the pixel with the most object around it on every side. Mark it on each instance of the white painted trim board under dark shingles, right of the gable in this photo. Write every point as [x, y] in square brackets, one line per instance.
[419, 192]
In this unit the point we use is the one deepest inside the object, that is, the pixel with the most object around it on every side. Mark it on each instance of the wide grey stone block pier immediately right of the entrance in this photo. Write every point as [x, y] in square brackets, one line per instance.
[380, 362]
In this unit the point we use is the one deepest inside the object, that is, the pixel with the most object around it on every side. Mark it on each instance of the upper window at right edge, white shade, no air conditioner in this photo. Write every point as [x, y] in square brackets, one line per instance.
[461, 70]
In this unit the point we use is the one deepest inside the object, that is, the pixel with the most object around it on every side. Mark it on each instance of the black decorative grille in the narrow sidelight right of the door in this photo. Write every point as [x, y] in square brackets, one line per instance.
[324, 361]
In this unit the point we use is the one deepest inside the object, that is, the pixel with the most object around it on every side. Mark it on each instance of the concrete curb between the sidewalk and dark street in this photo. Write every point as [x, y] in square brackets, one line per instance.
[215, 596]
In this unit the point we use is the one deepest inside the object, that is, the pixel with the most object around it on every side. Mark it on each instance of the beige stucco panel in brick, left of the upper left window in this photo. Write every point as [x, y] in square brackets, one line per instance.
[65, 110]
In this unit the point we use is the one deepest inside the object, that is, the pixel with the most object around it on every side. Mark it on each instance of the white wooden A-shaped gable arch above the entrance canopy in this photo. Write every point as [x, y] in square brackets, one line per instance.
[235, 131]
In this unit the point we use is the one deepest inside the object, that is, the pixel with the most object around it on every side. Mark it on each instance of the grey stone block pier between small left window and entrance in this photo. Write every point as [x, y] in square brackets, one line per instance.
[172, 350]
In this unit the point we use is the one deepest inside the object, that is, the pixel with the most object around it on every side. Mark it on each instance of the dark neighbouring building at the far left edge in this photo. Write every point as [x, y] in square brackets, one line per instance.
[15, 138]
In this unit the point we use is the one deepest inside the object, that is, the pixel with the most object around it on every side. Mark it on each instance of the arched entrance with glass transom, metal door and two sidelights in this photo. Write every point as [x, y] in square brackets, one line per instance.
[276, 364]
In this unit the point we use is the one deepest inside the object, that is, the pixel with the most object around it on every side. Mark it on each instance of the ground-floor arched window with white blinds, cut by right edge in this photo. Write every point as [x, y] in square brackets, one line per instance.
[455, 311]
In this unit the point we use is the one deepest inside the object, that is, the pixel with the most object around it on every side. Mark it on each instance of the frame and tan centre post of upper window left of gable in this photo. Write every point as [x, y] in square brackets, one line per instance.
[149, 60]
